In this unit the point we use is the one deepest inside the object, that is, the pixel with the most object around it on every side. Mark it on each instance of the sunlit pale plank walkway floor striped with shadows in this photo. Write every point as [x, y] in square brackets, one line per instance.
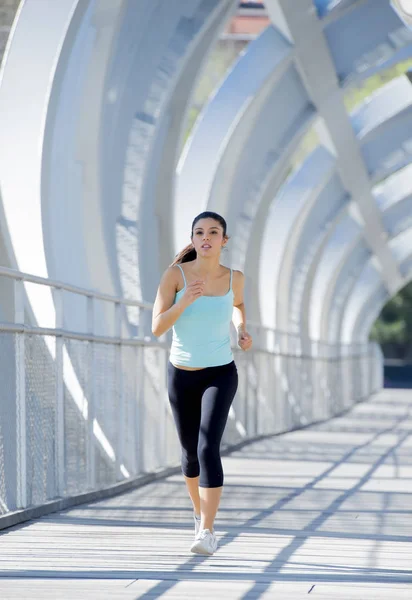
[325, 511]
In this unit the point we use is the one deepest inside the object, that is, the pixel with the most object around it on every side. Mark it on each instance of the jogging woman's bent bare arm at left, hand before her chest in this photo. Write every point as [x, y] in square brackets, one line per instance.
[165, 312]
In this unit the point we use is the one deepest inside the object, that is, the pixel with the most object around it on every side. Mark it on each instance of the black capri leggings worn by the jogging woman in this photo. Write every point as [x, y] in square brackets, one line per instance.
[200, 402]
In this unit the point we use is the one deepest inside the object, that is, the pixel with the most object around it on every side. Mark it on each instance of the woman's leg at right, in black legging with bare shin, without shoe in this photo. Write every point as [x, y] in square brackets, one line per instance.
[216, 402]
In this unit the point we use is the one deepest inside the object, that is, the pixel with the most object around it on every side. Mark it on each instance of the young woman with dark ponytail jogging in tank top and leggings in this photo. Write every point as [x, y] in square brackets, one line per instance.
[199, 297]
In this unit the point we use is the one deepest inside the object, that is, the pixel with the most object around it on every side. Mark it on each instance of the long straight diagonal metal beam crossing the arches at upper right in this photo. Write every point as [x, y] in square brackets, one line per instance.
[303, 28]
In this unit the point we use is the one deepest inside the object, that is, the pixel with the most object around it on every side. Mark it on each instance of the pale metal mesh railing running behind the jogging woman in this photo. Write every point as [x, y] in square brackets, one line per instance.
[80, 412]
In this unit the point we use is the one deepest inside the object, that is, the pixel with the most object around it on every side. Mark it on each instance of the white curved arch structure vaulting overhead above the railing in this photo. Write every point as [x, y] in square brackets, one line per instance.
[108, 200]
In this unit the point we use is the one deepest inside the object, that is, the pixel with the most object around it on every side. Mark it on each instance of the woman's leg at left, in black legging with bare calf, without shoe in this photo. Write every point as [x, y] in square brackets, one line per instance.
[185, 401]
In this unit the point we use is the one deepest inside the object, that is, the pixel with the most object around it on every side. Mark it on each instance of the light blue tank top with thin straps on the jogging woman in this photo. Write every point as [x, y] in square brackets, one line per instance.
[201, 335]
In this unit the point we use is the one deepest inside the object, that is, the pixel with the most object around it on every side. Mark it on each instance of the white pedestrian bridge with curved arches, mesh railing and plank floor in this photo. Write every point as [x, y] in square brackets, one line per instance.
[93, 207]
